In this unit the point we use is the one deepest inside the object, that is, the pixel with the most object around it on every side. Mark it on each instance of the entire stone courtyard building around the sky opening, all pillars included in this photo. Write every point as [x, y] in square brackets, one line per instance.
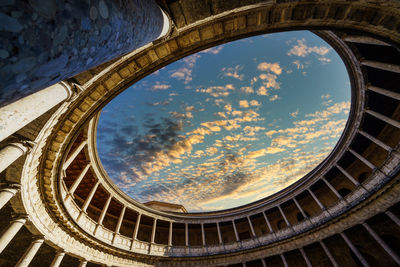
[59, 208]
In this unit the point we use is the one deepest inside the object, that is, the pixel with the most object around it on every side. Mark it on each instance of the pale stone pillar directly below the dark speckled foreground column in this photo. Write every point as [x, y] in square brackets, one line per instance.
[18, 114]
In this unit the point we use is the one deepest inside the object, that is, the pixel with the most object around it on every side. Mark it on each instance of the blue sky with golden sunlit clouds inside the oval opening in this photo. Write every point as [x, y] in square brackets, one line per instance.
[229, 125]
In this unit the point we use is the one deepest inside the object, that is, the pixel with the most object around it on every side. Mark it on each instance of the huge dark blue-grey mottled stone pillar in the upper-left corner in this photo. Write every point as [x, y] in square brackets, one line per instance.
[71, 37]
